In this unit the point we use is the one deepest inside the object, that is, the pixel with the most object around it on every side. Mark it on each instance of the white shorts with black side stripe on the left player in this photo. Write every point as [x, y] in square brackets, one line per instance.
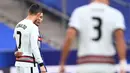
[20, 69]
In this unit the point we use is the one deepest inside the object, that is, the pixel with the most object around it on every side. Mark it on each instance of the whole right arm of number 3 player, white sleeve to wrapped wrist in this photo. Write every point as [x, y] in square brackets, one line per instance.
[119, 39]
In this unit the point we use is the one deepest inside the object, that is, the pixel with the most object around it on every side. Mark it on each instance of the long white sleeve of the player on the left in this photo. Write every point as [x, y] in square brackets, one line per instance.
[34, 46]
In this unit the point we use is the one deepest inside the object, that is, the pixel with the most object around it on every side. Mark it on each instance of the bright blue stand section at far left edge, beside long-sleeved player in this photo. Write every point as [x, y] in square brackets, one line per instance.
[7, 42]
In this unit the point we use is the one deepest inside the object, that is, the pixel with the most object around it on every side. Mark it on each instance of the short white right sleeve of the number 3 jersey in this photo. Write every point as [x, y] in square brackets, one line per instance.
[119, 21]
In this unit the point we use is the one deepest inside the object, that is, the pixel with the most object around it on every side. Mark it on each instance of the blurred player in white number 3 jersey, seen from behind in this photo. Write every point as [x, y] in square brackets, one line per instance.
[96, 24]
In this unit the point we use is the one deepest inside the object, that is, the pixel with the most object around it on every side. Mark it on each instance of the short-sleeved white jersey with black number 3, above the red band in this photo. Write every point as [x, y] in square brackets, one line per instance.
[96, 23]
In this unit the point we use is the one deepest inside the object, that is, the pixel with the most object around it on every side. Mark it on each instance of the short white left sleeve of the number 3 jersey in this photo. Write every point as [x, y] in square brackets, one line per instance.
[74, 20]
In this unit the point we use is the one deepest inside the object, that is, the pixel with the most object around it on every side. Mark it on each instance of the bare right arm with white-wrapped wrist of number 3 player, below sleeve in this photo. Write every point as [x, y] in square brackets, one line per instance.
[121, 49]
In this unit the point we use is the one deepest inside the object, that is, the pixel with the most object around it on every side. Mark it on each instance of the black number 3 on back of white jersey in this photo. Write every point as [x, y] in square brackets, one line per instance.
[98, 28]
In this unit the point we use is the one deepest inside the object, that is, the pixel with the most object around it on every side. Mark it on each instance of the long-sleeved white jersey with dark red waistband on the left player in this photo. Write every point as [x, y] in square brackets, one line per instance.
[26, 35]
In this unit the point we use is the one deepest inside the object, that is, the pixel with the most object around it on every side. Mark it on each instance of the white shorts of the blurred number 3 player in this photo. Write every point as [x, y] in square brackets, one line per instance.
[96, 68]
